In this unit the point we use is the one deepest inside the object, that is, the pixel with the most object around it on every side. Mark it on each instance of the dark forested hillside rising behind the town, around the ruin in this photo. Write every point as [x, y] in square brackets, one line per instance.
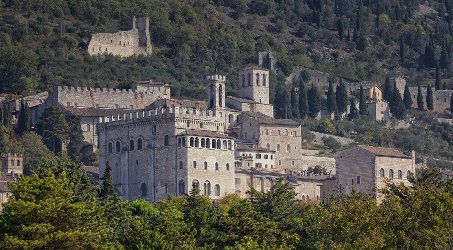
[43, 43]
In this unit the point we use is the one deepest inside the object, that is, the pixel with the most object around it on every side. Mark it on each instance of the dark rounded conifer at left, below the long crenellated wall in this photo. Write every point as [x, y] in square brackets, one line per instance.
[53, 128]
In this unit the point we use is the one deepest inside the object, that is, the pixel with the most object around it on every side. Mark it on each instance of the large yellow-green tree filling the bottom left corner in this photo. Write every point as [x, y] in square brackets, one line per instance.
[40, 215]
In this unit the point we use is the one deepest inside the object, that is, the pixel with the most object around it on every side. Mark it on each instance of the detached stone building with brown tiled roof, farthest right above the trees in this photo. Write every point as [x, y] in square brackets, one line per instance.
[367, 169]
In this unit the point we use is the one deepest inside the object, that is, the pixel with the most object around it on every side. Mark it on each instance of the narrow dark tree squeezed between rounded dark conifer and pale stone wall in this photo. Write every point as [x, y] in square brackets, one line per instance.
[75, 136]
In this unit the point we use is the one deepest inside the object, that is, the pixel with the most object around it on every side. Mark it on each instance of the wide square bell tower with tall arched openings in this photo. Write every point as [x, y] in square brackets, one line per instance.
[254, 84]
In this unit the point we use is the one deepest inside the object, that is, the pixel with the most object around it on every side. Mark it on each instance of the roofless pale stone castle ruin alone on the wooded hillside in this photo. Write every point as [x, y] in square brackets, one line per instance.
[135, 41]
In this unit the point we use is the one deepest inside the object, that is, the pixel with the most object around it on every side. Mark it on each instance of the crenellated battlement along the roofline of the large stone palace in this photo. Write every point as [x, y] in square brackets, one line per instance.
[158, 114]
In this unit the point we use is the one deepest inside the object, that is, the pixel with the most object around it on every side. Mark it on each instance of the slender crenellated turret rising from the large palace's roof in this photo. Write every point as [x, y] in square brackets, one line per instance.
[216, 92]
